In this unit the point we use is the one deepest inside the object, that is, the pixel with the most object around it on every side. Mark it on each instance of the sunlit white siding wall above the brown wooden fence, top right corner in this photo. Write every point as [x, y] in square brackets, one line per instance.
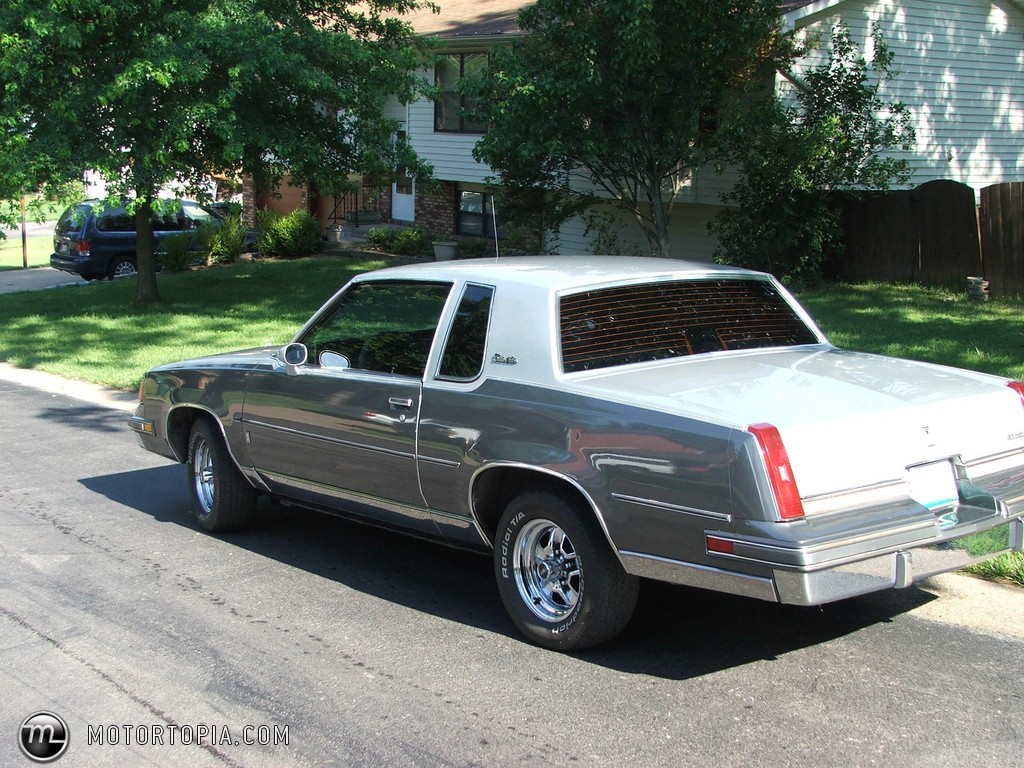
[961, 70]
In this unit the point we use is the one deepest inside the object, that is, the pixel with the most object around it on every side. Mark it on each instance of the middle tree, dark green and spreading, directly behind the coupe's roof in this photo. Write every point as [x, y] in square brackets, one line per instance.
[620, 100]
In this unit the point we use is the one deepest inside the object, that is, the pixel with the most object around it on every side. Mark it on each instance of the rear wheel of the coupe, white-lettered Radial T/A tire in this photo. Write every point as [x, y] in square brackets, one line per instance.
[561, 582]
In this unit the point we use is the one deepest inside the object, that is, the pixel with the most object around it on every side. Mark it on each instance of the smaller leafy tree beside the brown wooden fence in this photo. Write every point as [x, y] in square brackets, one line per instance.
[795, 157]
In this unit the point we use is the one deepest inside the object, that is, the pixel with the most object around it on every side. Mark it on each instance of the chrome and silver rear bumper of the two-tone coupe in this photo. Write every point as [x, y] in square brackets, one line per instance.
[832, 558]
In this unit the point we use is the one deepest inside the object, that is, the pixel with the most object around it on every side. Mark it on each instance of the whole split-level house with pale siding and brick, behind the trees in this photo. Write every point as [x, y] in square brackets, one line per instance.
[961, 72]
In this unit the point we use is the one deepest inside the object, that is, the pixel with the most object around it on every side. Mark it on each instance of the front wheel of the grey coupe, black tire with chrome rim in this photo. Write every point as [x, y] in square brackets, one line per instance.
[222, 498]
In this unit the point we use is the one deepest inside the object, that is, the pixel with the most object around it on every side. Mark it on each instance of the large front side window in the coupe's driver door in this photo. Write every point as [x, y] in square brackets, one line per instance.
[386, 327]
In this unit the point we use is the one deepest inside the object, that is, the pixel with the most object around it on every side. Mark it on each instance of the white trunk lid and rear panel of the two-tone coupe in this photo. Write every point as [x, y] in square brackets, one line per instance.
[847, 419]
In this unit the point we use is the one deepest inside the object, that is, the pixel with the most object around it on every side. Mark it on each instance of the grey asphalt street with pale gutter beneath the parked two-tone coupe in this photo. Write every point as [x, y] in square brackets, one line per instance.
[367, 649]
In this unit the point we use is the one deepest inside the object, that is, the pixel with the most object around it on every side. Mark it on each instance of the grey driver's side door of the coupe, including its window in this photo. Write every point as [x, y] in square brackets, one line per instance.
[340, 431]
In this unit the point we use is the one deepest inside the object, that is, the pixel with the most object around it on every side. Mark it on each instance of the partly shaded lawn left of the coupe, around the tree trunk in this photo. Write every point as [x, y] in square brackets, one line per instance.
[95, 333]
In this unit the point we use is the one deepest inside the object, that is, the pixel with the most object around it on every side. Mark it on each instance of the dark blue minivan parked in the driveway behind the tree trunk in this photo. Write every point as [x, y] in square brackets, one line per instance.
[98, 241]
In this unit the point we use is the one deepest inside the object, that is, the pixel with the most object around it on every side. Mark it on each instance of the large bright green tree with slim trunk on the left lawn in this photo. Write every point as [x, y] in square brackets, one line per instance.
[148, 94]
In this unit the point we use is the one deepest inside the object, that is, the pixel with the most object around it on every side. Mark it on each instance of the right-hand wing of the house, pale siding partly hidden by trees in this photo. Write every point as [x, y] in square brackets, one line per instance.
[961, 70]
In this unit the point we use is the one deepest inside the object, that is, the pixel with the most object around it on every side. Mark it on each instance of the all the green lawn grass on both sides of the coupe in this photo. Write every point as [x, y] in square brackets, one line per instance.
[95, 333]
